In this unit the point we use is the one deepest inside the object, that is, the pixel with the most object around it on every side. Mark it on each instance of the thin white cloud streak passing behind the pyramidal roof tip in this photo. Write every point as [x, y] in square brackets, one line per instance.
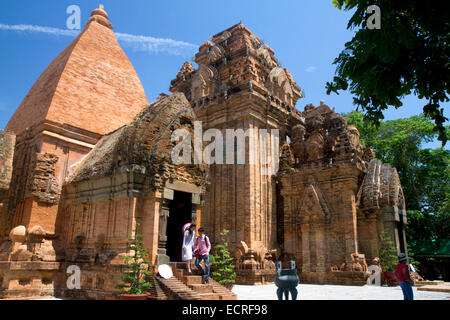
[136, 42]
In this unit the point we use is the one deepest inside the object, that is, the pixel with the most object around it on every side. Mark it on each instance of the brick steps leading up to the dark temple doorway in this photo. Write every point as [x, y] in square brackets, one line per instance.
[195, 282]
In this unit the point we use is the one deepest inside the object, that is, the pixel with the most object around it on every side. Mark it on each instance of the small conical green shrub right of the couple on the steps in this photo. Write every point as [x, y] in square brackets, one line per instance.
[222, 266]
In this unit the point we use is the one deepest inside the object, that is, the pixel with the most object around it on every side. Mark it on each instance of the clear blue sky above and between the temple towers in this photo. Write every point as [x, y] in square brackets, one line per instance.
[305, 35]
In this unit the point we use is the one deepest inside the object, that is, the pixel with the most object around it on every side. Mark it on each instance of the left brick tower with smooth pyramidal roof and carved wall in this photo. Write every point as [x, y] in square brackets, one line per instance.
[89, 90]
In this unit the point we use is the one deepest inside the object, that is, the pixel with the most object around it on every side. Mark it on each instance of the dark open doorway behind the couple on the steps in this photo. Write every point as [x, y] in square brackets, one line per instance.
[179, 214]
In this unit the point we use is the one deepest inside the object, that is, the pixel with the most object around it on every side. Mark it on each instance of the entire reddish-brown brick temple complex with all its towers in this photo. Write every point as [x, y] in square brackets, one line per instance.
[85, 158]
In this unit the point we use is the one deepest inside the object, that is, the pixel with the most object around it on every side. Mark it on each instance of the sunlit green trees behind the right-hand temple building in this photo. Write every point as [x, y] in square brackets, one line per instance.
[424, 173]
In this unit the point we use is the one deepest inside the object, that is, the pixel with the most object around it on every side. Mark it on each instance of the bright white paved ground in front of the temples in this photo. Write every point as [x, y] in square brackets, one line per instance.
[334, 292]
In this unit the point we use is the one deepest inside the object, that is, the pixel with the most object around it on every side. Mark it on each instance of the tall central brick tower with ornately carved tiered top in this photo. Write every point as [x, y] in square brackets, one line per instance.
[239, 84]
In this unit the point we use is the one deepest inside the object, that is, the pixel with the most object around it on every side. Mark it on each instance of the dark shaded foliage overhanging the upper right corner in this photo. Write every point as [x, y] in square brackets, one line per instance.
[409, 54]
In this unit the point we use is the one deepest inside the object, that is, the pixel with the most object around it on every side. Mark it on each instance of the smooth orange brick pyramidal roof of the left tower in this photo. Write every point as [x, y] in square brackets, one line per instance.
[90, 85]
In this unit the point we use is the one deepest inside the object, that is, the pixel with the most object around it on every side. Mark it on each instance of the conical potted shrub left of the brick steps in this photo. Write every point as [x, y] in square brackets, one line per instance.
[135, 270]
